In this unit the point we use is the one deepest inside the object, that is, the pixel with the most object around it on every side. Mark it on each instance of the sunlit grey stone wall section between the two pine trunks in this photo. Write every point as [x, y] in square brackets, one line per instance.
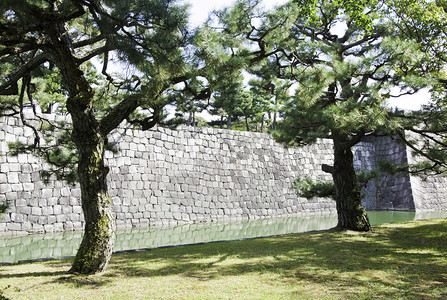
[168, 176]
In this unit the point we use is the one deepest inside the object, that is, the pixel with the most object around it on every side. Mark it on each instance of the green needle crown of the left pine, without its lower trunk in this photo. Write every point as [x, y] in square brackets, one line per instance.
[147, 37]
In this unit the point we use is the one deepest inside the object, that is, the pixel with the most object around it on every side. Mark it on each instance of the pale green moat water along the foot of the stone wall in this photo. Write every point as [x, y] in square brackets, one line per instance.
[40, 246]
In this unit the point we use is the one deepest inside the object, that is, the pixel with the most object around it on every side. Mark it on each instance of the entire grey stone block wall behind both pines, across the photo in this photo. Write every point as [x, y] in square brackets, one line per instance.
[164, 176]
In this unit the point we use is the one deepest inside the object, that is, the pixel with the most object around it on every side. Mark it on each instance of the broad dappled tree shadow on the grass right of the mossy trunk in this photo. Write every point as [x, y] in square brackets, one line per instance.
[402, 262]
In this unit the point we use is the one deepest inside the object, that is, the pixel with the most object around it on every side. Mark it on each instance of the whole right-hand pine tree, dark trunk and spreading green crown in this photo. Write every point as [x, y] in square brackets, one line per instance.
[344, 60]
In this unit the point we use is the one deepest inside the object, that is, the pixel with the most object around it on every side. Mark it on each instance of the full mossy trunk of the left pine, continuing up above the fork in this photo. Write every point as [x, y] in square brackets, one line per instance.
[96, 247]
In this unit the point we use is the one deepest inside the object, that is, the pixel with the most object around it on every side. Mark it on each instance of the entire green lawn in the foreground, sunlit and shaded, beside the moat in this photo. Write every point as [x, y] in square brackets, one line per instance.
[394, 261]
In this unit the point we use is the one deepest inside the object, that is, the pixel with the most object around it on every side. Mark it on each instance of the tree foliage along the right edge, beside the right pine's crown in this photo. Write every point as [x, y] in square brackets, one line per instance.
[424, 22]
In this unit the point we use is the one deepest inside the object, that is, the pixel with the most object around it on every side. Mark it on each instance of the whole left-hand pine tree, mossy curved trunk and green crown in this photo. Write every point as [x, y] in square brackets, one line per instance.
[39, 37]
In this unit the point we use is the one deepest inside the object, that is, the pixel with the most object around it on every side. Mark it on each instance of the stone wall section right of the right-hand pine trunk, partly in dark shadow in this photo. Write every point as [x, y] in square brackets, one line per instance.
[394, 192]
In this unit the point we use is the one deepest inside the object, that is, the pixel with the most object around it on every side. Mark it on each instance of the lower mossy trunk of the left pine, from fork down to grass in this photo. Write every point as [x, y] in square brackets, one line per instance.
[97, 244]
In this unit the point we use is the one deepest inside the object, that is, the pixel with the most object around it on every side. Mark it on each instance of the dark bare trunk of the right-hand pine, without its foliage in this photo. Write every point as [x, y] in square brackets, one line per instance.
[351, 214]
